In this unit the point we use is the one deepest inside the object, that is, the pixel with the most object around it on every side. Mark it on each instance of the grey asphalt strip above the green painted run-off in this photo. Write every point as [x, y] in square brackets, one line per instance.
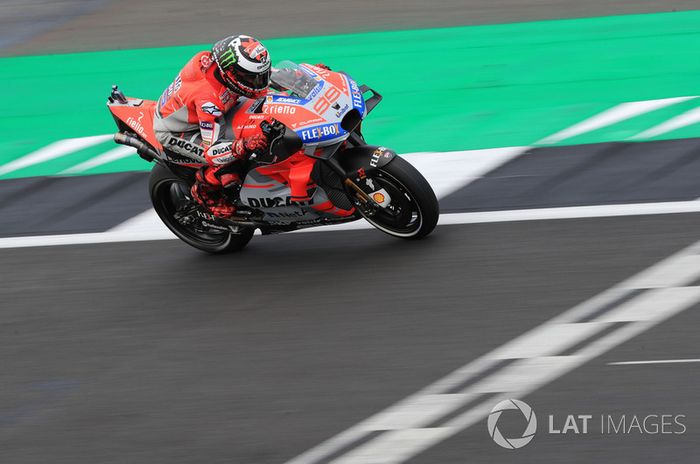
[136, 23]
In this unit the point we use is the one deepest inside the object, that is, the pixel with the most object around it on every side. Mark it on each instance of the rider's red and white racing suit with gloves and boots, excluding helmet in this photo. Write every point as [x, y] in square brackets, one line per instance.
[188, 123]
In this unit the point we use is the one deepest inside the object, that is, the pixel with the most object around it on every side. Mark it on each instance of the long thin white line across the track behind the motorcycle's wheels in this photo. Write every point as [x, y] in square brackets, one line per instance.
[147, 226]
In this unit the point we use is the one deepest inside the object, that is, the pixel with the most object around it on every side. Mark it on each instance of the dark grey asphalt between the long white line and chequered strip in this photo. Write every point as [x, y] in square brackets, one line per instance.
[154, 352]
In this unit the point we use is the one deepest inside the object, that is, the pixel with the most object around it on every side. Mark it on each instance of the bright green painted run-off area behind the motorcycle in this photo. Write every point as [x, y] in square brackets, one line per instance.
[445, 89]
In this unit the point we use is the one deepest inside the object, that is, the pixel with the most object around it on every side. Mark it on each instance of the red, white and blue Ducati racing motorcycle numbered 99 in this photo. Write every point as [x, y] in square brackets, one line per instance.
[317, 170]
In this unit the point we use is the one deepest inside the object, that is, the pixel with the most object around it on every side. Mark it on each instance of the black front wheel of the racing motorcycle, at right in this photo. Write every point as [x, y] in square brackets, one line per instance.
[413, 211]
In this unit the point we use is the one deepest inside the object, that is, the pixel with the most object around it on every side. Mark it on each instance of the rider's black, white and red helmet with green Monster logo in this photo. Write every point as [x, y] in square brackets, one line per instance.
[243, 64]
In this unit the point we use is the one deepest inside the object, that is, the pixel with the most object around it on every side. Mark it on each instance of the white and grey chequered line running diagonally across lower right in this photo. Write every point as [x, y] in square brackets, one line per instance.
[534, 366]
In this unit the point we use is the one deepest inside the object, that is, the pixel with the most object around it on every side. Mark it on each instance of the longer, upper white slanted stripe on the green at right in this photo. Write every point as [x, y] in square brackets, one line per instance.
[611, 116]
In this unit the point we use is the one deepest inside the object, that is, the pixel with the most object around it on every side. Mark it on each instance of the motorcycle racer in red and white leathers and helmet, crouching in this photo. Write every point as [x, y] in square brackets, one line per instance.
[189, 115]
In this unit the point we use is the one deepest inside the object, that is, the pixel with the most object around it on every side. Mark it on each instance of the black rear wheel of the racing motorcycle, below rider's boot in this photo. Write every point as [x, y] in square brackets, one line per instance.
[170, 195]
